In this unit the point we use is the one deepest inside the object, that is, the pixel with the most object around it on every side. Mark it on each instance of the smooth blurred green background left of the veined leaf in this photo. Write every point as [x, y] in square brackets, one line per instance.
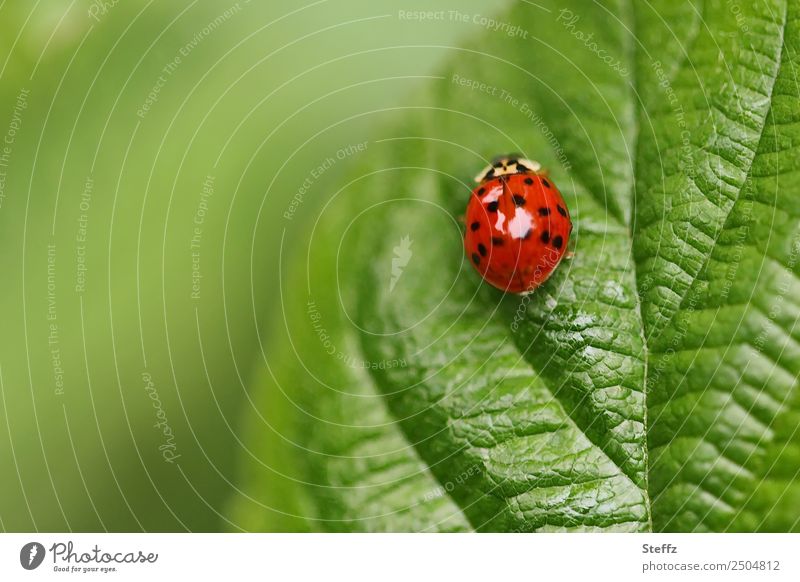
[150, 152]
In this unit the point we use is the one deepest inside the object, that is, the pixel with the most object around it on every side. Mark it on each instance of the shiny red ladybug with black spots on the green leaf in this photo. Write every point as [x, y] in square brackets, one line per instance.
[518, 225]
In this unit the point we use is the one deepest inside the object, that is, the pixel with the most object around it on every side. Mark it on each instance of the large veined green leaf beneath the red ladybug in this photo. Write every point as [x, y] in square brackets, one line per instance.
[650, 384]
